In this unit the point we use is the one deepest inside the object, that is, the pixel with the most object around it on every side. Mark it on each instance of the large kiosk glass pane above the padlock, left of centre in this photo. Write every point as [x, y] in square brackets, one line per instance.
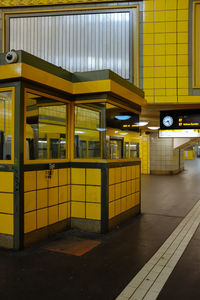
[46, 121]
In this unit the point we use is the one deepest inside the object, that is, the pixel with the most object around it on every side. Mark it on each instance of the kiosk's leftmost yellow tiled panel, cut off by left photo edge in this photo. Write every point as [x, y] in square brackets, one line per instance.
[7, 203]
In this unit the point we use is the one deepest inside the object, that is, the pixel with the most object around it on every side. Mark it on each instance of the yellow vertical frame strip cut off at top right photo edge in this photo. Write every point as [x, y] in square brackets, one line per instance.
[194, 61]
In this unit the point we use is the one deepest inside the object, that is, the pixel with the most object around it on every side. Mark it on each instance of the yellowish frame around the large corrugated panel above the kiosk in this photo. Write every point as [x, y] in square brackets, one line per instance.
[135, 37]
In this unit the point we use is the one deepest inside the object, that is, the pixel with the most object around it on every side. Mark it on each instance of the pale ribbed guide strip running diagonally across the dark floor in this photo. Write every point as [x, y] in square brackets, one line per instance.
[191, 220]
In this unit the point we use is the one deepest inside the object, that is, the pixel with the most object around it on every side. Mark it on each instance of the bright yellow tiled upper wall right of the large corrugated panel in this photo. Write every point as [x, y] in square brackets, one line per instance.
[165, 51]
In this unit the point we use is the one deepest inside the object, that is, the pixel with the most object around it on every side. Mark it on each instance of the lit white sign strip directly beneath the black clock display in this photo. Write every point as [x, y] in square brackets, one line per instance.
[184, 133]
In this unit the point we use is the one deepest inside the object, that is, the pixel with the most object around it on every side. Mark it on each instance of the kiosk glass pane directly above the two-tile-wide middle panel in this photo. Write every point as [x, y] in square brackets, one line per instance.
[89, 130]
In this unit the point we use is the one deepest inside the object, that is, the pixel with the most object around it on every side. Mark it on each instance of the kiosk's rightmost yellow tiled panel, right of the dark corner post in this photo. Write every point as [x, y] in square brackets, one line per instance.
[124, 189]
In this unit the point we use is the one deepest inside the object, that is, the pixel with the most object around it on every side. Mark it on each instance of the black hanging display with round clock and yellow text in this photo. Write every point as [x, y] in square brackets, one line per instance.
[180, 119]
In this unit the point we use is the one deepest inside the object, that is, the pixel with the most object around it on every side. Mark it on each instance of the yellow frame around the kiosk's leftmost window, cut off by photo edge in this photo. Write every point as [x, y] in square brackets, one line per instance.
[11, 161]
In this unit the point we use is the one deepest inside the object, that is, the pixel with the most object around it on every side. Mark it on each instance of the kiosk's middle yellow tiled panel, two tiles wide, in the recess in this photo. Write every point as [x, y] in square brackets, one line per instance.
[86, 193]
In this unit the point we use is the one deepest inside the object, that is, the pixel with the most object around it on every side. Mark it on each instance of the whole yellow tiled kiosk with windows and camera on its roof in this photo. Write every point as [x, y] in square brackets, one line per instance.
[68, 153]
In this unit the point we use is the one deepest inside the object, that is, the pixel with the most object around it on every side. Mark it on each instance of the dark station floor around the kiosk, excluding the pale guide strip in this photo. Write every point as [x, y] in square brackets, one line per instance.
[75, 265]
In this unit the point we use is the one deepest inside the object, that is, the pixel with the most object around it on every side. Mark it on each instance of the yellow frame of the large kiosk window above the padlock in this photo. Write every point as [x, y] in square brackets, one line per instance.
[45, 161]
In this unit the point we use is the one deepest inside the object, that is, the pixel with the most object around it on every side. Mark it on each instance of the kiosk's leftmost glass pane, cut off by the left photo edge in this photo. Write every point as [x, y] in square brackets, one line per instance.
[5, 125]
